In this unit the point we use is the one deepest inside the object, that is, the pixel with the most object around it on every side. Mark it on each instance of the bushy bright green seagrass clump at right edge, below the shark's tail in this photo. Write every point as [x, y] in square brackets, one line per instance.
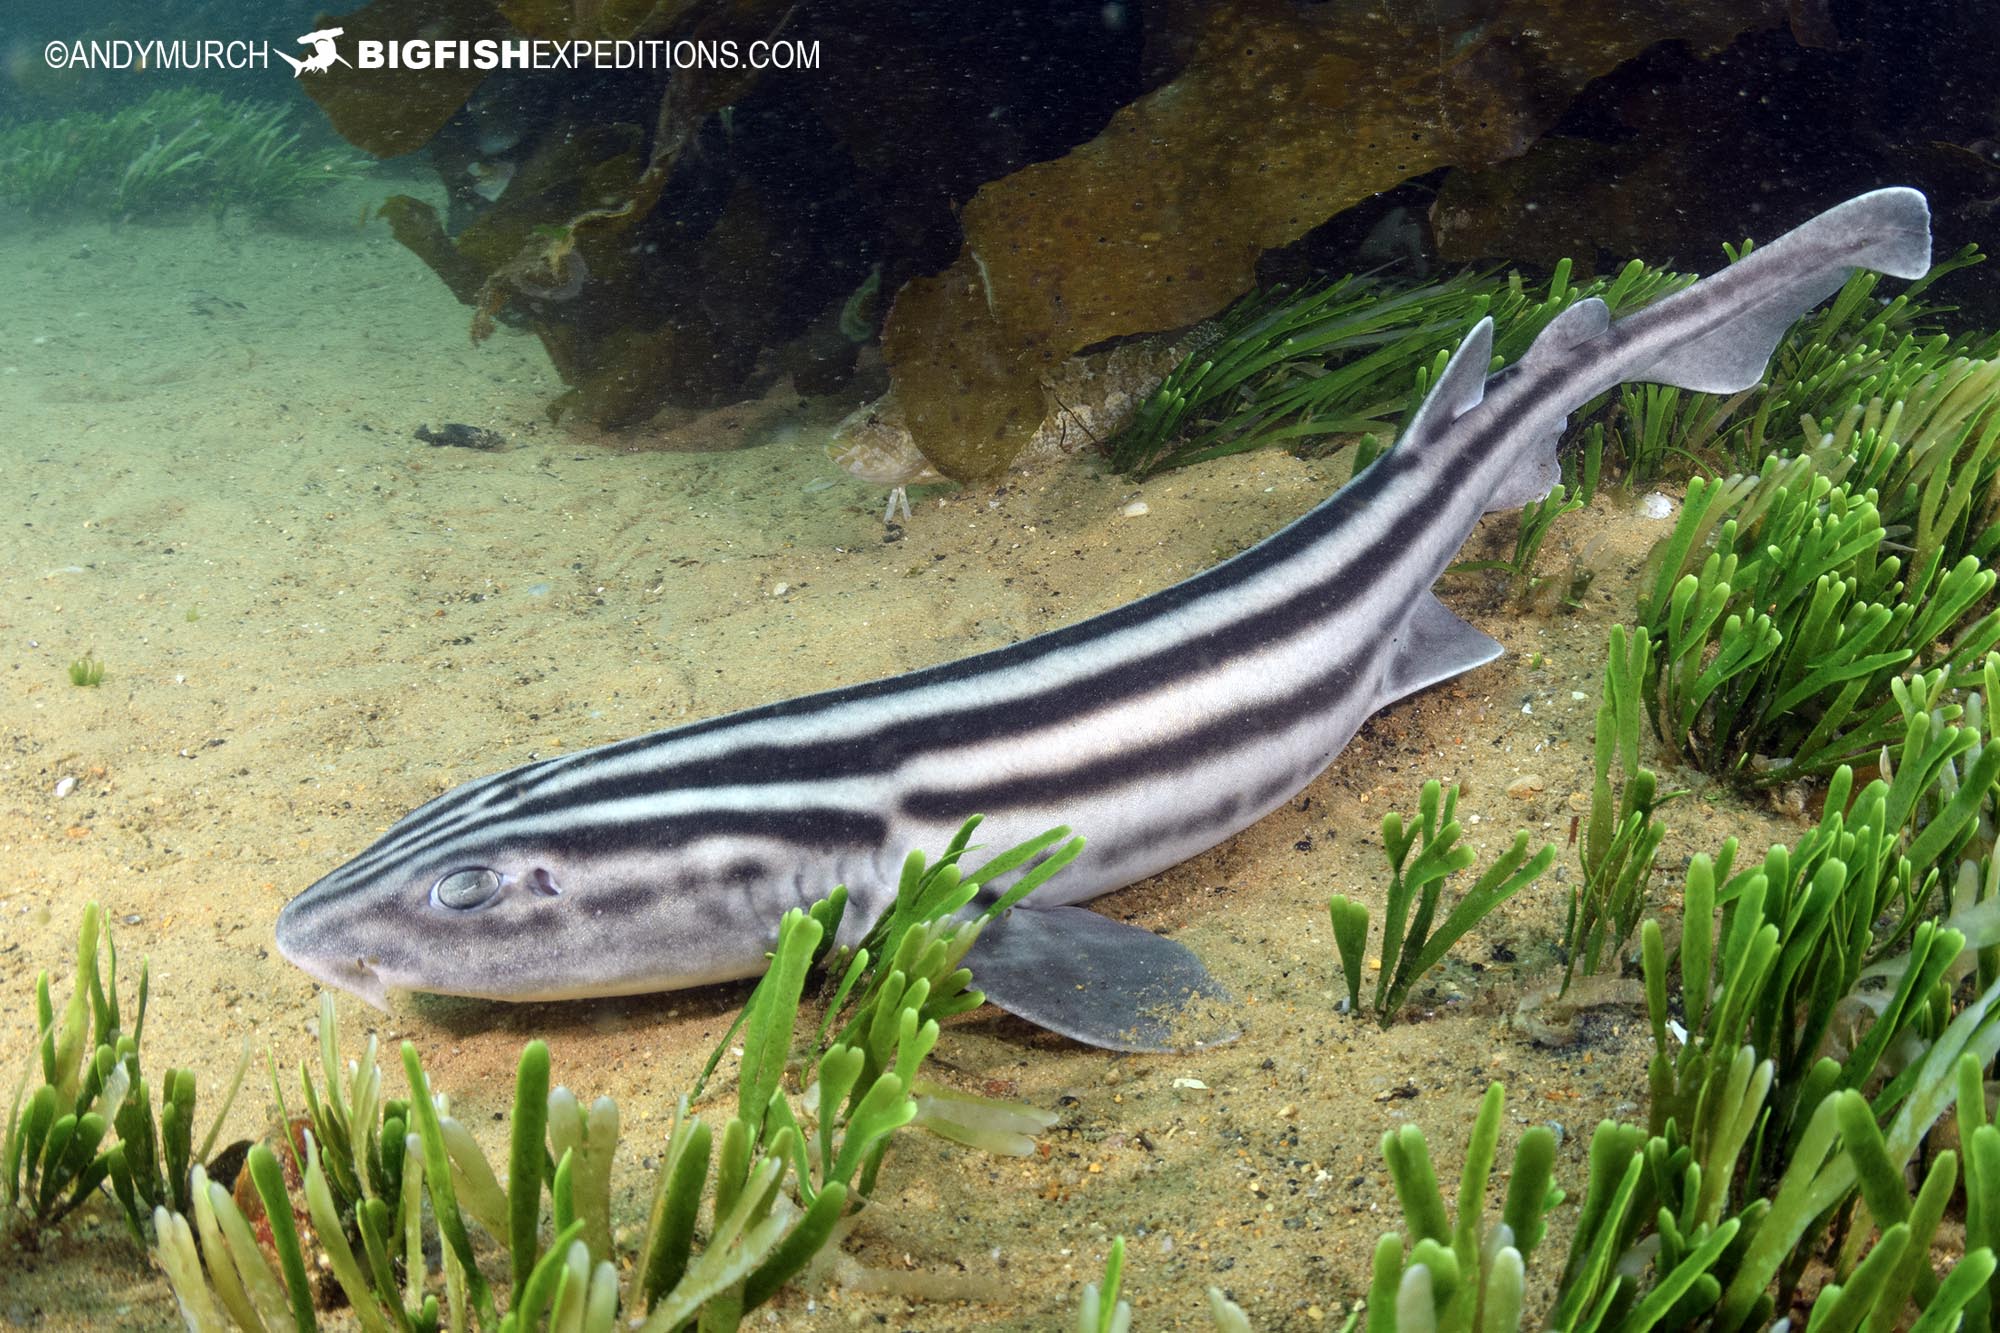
[1785, 605]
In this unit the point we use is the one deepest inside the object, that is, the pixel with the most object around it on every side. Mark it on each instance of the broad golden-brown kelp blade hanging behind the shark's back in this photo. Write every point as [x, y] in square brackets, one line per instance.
[1283, 117]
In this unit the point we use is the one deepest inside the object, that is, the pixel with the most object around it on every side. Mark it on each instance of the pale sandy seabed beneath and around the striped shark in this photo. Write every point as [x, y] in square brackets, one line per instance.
[311, 623]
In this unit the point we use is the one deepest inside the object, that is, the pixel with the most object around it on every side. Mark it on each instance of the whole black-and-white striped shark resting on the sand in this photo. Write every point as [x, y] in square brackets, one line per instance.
[1155, 730]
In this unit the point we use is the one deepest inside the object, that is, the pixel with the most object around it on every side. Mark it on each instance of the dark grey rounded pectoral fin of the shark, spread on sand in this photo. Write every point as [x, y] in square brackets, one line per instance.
[1099, 982]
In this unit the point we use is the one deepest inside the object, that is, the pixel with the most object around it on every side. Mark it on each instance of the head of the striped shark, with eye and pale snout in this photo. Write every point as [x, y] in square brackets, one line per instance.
[477, 896]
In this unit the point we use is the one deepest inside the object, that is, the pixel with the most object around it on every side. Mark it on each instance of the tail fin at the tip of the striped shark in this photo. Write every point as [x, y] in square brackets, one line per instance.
[1765, 295]
